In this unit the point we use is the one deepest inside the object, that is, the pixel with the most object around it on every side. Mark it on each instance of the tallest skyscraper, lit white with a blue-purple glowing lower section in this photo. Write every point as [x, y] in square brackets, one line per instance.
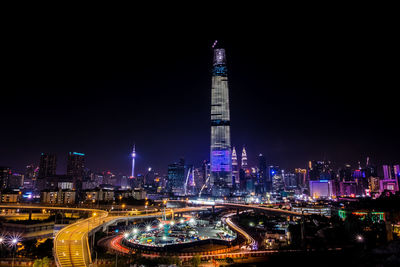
[220, 152]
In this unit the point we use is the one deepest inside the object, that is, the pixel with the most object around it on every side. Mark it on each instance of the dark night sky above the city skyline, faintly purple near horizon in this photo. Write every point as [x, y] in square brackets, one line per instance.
[301, 87]
